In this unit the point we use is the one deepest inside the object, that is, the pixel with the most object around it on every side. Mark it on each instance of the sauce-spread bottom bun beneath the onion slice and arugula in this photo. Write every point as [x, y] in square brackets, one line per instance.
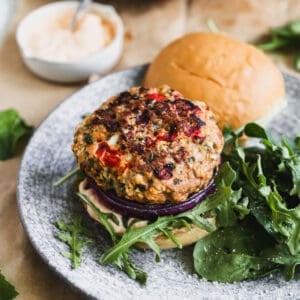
[185, 236]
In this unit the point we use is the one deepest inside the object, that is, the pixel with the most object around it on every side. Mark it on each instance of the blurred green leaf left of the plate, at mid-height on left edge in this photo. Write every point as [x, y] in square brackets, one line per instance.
[12, 129]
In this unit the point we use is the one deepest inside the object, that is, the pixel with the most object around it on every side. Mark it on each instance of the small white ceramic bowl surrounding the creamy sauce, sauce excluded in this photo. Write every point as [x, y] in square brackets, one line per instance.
[79, 70]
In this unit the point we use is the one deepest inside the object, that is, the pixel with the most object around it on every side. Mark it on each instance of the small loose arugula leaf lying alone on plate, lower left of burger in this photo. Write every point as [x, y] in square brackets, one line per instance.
[76, 237]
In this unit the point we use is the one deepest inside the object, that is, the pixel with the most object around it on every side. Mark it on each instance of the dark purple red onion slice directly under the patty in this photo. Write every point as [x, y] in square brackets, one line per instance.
[149, 211]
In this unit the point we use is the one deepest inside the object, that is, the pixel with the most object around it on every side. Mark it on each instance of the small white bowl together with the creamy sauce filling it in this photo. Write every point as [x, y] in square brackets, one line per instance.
[51, 50]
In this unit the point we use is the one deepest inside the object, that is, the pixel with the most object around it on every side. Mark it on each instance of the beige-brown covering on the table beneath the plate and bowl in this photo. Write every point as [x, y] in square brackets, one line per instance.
[150, 26]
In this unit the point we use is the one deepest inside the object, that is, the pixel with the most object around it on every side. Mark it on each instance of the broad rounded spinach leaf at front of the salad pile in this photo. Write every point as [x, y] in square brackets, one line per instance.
[234, 253]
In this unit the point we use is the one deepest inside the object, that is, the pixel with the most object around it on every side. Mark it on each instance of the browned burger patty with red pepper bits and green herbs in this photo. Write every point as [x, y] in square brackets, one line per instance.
[149, 145]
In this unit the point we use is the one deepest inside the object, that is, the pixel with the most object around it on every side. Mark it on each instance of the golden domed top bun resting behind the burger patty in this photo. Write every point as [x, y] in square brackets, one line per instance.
[238, 81]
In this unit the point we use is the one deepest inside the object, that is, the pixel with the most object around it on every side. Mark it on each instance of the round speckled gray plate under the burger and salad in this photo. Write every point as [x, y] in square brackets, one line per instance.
[48, 157]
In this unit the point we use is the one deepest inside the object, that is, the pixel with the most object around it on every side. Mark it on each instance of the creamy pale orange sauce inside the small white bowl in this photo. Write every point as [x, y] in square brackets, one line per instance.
[50, 37]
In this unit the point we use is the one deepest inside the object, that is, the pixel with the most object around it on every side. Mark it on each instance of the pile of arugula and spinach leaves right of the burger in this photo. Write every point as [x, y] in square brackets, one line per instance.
[268, 238]
